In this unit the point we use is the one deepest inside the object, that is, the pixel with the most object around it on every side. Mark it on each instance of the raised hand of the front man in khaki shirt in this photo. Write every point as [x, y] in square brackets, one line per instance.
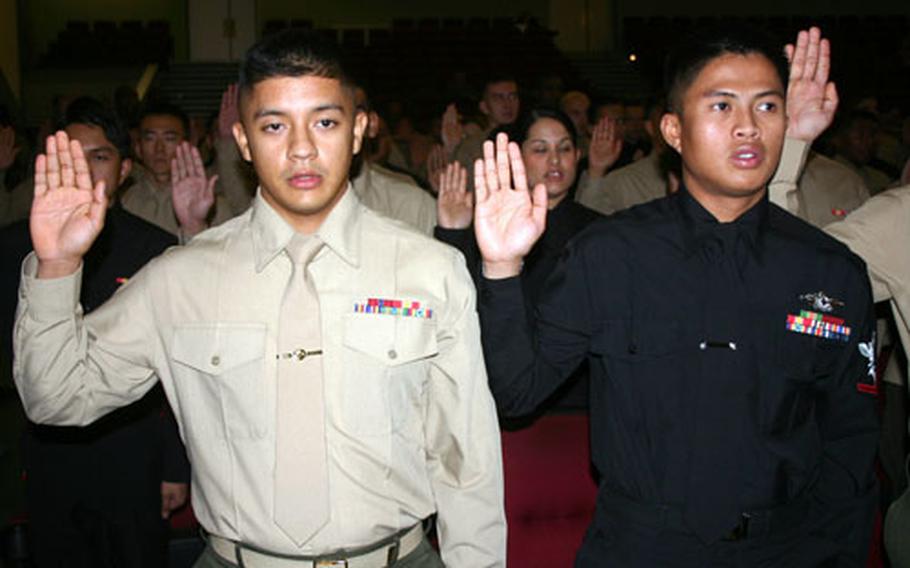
[67, 211]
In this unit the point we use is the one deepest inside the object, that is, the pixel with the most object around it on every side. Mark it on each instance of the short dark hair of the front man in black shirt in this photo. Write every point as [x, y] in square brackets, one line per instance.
[705, 44]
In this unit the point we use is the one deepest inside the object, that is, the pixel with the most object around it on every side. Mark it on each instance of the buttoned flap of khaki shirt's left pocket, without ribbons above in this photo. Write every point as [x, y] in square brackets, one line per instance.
[217, 348]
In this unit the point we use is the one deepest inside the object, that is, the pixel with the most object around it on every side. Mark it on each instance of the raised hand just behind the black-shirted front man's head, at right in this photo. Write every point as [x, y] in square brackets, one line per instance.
[811, 98]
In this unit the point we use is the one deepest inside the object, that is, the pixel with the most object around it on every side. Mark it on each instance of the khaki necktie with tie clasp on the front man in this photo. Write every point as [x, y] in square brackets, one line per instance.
[301, 477]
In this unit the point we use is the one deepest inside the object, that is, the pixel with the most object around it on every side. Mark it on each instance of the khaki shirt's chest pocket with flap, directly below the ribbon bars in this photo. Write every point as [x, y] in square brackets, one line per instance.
[386, 364]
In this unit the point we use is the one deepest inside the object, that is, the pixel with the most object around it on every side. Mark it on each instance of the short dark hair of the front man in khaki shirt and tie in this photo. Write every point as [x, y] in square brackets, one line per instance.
[292, 53]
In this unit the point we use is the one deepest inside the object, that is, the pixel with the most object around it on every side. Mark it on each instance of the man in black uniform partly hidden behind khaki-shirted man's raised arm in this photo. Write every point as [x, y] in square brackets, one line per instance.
[96, 495]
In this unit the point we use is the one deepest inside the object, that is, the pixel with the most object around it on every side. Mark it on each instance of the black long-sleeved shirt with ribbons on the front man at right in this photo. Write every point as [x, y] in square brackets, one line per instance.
[731, 363]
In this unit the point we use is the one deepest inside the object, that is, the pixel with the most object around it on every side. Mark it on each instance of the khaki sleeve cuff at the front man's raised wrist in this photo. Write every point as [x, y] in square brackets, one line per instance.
[50, 299]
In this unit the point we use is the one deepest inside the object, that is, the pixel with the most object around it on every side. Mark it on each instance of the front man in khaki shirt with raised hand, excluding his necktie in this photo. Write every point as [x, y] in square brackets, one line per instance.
[410, 425]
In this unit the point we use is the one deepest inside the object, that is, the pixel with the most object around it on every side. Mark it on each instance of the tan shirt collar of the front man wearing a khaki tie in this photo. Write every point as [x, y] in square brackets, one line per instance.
[340, 231]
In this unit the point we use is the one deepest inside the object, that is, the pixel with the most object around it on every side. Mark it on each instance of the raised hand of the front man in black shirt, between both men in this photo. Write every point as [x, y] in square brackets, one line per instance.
[508, 218]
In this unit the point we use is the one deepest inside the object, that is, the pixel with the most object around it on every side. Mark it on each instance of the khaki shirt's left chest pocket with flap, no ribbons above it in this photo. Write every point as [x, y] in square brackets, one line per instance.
[219, 369]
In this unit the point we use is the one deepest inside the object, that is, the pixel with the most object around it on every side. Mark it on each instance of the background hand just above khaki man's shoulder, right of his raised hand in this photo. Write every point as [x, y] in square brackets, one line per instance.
[192, 193]
